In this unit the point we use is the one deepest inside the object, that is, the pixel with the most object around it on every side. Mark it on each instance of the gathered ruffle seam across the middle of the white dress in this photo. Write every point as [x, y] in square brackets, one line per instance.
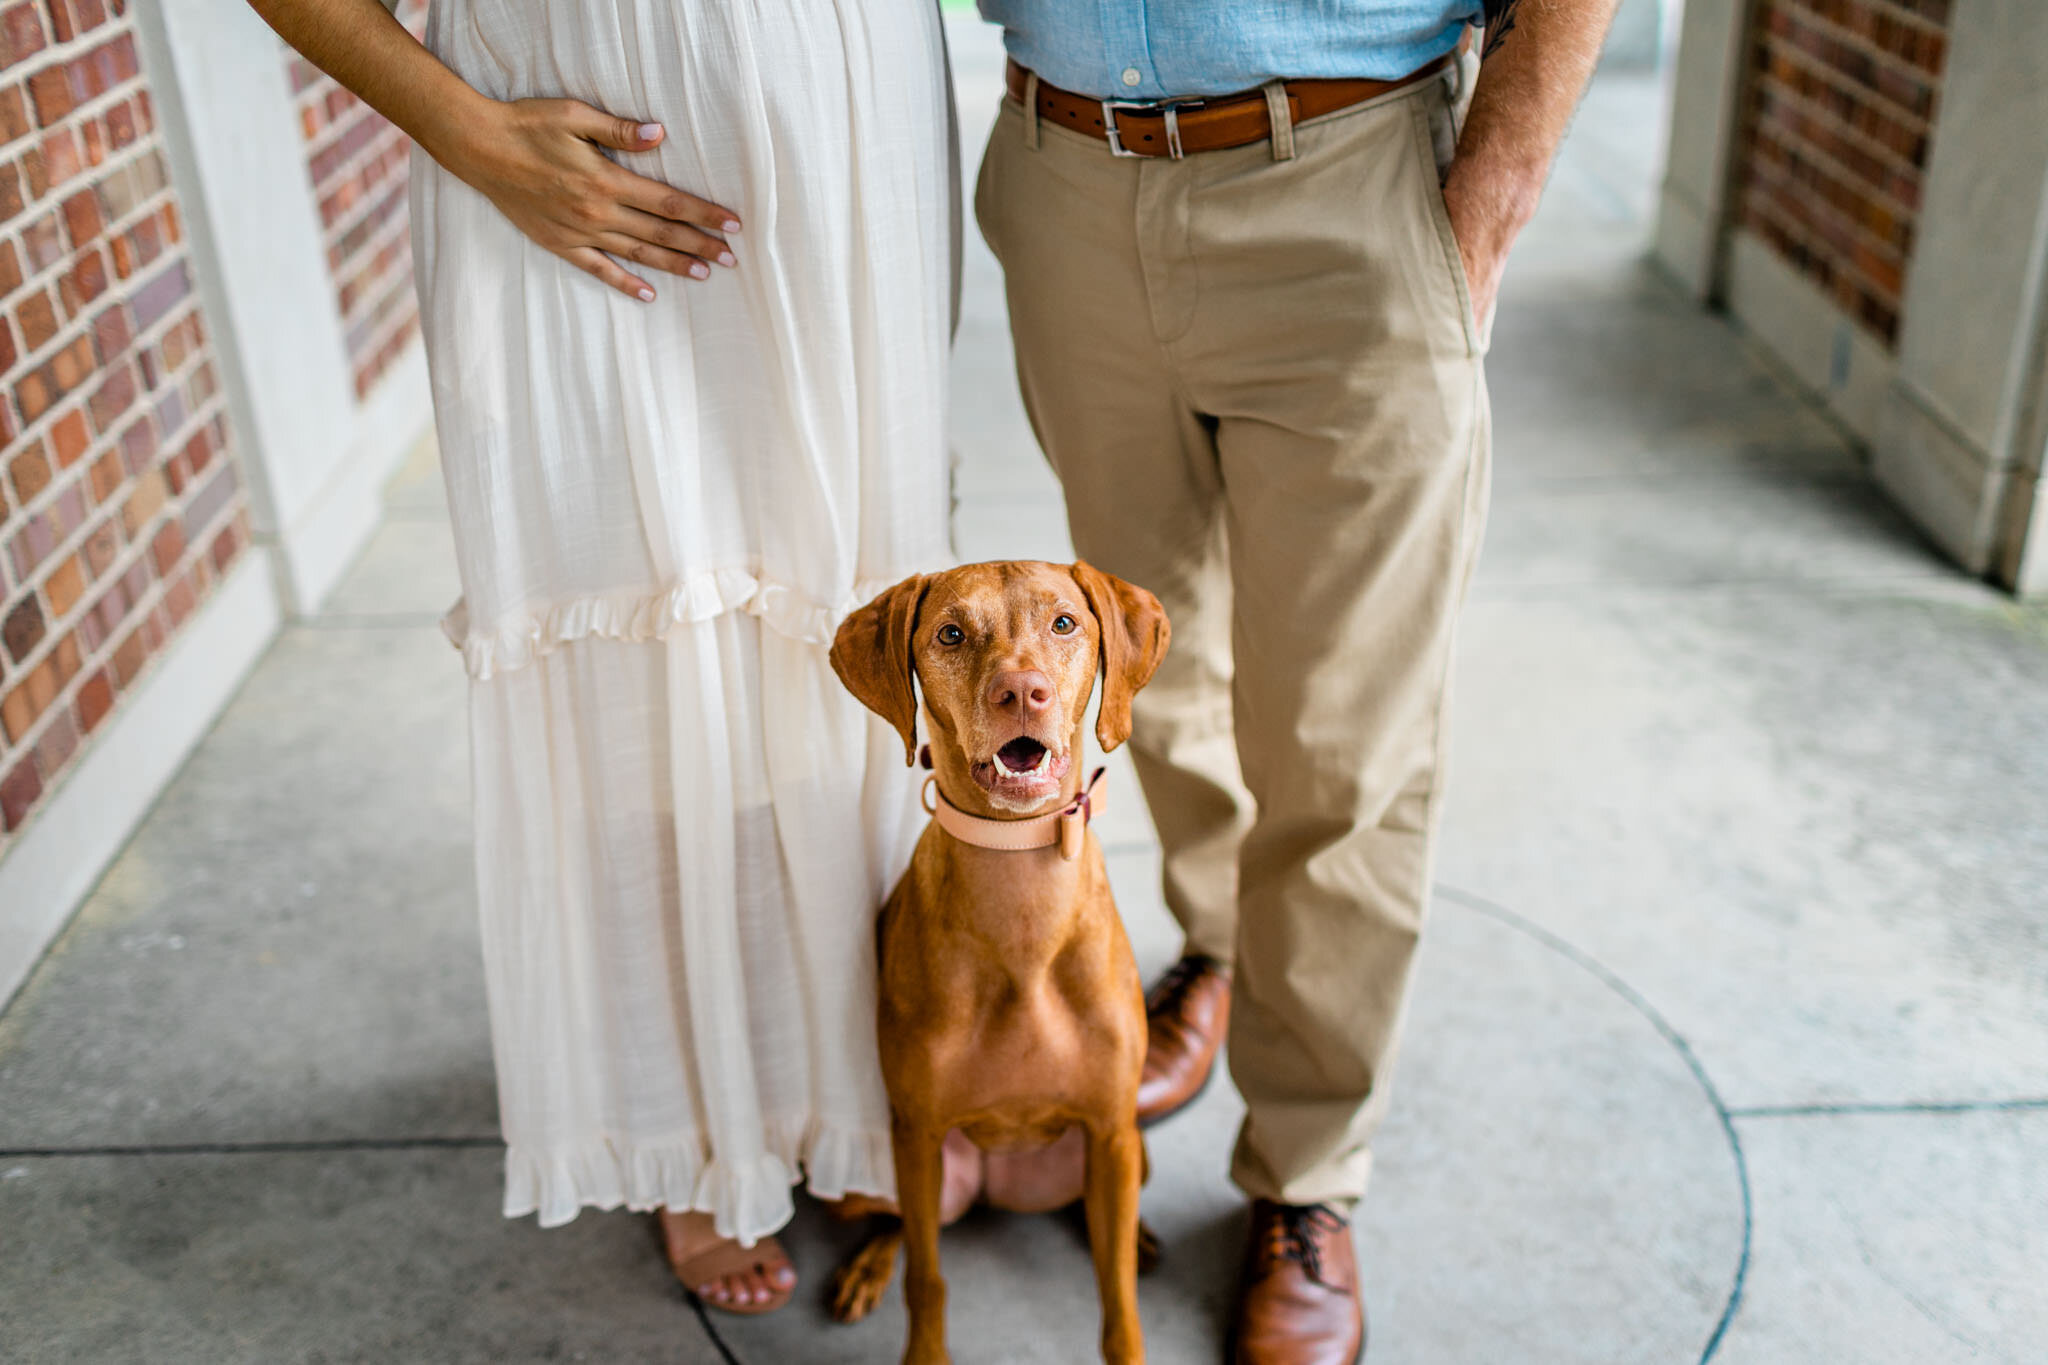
[640, 617]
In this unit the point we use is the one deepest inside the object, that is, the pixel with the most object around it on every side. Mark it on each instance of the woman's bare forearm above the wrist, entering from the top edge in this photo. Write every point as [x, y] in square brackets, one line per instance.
[364, 48]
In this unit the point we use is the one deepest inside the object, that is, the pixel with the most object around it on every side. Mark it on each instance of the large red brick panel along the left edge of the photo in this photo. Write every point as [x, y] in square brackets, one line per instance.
[120, 504]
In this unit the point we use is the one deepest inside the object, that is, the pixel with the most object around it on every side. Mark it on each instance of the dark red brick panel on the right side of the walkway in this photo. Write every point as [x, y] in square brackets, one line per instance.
[1842, 107]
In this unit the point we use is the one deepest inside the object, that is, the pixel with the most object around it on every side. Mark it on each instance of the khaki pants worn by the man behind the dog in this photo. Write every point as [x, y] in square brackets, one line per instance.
[1261, 384]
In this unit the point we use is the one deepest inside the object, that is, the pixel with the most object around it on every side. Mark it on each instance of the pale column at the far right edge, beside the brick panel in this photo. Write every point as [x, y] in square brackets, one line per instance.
[1963, 429]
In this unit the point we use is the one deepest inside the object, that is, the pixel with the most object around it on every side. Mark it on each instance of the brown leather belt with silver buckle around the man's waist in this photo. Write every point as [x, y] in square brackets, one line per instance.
[1179, 128]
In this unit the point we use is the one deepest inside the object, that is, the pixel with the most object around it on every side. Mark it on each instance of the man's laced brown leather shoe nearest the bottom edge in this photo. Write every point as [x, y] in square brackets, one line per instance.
[1299, 1298]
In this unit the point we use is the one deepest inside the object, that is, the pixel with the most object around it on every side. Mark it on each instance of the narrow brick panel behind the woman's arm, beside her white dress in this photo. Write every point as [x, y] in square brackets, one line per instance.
[357, 163]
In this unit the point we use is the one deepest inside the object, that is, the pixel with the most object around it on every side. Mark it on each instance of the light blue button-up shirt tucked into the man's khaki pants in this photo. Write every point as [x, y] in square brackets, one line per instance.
[1154, 50]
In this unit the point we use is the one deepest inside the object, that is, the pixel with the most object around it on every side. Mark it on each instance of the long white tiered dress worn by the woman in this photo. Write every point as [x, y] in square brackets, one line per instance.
[685, 826]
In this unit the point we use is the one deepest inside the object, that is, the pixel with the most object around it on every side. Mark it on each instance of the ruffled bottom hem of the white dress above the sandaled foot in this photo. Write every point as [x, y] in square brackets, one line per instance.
[746, 1198]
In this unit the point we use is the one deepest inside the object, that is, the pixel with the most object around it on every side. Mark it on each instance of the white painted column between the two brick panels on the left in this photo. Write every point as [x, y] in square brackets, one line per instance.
[316, 459]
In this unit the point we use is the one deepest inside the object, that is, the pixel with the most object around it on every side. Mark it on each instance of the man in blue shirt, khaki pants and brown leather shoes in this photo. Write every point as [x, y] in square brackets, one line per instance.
[1250, 257]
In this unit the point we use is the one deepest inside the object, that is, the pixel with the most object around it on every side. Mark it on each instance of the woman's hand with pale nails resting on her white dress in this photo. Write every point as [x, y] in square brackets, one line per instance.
[542, 165]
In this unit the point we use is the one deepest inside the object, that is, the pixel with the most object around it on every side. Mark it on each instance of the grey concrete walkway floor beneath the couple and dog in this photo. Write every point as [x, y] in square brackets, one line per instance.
[1732, 1037]
